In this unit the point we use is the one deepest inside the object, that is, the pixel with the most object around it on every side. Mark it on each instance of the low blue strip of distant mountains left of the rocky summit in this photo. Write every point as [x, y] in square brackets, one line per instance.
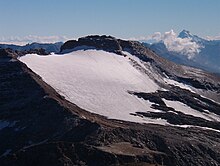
[48, 47]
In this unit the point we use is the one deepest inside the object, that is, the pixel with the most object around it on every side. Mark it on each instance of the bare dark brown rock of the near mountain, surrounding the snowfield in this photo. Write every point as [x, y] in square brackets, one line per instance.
[39, 127]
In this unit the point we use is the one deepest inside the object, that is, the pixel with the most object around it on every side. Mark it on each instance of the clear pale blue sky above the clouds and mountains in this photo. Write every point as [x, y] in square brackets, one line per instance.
[120, 18]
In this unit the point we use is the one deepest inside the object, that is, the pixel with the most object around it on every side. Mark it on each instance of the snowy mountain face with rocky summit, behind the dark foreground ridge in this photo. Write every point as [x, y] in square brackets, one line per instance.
[110, 84]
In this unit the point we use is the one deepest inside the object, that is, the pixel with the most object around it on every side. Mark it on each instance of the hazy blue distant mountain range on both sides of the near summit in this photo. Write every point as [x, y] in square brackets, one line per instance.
[208, 57]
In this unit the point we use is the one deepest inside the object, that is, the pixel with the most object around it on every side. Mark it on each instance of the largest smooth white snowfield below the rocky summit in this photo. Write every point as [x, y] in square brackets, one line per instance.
[97, 81]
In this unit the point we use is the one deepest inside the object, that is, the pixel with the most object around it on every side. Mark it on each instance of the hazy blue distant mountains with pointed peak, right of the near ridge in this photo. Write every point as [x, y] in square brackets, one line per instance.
[208, 58]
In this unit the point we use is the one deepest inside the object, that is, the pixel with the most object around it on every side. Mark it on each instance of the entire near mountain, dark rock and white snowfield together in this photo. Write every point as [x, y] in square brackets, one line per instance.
[106, 101]
